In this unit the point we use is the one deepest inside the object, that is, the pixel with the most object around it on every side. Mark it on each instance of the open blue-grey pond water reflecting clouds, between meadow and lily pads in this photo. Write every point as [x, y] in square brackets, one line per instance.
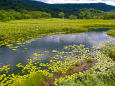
[93, 38]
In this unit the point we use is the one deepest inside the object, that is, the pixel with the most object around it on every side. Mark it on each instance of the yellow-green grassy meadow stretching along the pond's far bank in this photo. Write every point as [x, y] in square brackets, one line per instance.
[22, 30]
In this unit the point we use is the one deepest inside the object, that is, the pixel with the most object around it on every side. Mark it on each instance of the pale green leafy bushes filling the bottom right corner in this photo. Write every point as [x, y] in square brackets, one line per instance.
[91, 78]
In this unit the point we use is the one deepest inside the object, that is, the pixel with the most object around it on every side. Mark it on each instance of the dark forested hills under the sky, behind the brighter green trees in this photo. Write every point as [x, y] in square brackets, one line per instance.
[52, 8]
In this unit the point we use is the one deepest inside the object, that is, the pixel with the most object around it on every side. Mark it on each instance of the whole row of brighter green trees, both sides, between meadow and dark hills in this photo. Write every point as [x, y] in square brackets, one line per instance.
[85, 13]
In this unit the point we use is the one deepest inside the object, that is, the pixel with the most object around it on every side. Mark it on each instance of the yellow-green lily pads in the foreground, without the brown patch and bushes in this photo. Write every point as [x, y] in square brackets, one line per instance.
[62, 61]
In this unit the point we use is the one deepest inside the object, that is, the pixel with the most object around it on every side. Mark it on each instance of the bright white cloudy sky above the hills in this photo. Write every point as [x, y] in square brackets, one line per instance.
[110, 2]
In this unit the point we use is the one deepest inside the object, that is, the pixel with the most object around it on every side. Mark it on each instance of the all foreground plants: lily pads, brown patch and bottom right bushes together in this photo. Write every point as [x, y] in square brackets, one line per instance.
[60, 69]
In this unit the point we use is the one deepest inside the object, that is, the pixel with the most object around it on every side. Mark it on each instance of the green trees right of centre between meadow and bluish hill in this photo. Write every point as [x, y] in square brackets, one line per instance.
[86, 13]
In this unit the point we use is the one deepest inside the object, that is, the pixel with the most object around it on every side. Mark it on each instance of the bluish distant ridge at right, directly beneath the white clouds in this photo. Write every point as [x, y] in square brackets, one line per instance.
[100, 6]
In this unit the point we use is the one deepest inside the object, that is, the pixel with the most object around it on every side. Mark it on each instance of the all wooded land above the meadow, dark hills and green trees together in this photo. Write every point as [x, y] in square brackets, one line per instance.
[28, 9]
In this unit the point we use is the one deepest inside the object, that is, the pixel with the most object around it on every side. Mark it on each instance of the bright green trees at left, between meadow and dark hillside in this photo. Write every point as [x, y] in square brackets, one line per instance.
[6, 15]
